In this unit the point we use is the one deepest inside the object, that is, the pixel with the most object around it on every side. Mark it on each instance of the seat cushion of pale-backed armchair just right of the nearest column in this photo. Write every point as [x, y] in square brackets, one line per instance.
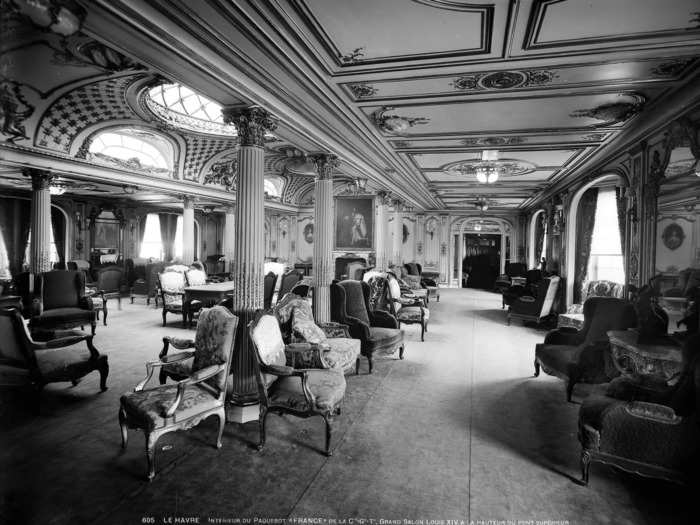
[327, 387]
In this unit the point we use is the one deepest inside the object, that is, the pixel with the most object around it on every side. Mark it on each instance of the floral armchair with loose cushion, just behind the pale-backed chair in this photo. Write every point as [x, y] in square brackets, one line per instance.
[331, 341]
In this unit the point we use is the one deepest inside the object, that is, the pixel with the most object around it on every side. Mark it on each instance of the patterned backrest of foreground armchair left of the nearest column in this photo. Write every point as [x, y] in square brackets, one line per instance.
[216, 331]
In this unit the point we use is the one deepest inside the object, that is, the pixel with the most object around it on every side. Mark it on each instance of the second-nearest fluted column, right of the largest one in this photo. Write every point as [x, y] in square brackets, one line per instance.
[323, 236]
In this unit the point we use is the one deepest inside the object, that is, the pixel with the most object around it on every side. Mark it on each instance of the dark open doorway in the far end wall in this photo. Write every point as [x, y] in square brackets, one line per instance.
[482, 260]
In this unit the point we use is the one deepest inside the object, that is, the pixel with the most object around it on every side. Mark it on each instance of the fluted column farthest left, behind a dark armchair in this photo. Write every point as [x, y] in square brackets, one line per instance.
[41, 220]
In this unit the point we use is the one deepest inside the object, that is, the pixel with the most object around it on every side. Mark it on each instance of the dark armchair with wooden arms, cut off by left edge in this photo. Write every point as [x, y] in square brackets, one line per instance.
[26, 363]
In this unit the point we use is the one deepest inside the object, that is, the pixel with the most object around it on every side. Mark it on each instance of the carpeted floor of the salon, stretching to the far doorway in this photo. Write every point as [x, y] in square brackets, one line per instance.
[458, 430]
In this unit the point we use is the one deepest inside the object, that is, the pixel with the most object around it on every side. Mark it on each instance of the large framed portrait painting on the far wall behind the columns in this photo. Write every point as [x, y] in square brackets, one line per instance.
[354, 223]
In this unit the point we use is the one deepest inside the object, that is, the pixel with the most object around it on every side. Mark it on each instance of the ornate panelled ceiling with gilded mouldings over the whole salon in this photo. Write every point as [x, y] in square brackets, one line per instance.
[400, 90]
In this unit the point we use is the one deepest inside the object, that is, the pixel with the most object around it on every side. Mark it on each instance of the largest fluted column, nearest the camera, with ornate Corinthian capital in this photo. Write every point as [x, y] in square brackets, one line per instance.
[249, 253]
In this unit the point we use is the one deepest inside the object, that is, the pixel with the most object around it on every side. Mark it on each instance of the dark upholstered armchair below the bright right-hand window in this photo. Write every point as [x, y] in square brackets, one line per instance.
[583, 356]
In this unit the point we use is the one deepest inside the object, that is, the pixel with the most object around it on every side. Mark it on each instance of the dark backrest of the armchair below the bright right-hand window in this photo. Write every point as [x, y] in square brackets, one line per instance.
[601, 314]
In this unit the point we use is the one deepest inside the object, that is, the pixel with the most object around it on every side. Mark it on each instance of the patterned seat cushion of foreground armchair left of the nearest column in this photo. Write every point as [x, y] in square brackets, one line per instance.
[148, 406]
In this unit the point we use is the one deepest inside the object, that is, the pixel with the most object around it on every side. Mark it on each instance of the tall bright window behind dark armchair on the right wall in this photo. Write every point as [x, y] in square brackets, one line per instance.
[606, 251]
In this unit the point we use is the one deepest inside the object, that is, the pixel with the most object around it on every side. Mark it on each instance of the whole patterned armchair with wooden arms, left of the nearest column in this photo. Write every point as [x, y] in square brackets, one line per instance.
[182, 405]
